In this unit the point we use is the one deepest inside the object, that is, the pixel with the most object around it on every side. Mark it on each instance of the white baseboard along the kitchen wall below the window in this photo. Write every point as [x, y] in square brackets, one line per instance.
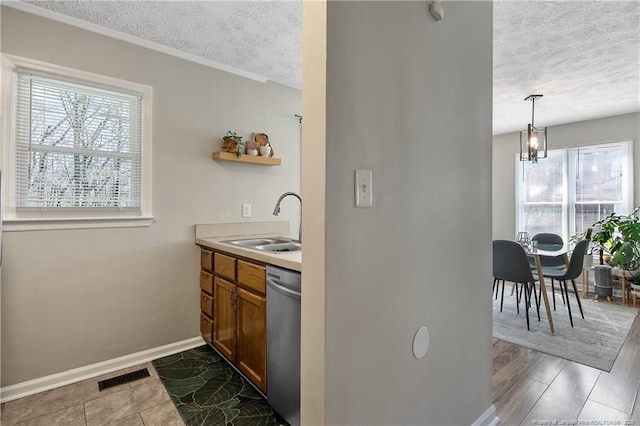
[30, 387]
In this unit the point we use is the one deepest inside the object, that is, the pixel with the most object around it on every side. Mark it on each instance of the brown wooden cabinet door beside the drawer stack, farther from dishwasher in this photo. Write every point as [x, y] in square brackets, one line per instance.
[224, 318]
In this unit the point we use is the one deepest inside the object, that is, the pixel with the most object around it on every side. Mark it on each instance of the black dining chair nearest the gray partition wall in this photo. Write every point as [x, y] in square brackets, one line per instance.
[510, 264]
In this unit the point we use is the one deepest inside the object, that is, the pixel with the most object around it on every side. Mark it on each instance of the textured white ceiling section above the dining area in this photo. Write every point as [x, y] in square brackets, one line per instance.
[583, 56]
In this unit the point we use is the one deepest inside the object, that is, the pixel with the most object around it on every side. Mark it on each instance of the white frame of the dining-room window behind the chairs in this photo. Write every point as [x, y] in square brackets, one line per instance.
[569, 172]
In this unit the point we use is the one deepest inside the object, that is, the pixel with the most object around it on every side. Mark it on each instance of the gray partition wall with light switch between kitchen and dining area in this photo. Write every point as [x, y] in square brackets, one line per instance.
[410, 99]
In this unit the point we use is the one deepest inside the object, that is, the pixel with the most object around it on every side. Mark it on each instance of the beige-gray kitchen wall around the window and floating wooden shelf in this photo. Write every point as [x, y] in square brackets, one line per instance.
[73, 298]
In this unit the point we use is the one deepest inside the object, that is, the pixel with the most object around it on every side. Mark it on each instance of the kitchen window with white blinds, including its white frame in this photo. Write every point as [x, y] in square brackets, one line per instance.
[77, 148]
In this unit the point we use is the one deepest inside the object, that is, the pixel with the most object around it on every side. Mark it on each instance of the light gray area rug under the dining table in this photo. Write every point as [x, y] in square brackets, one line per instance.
[595, 340]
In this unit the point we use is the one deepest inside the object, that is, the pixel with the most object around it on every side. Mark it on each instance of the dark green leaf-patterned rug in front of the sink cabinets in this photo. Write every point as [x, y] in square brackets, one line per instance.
[206, 390]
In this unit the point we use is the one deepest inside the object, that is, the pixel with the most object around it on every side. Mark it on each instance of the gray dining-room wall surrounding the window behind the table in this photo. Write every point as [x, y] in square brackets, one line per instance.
[616, 128]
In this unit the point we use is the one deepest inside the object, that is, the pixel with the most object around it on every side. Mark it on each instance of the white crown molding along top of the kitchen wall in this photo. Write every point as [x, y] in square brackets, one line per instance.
[89, 26]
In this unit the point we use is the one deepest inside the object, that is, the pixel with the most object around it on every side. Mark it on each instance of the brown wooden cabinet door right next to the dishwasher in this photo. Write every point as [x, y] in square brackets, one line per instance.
[252, 337]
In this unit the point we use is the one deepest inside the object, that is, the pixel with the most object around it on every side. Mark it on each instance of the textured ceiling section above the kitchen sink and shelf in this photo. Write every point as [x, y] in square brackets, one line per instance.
[263, 38]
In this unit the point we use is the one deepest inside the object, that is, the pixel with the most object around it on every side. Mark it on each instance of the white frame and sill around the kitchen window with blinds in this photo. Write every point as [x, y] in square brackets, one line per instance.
[15, 219]
